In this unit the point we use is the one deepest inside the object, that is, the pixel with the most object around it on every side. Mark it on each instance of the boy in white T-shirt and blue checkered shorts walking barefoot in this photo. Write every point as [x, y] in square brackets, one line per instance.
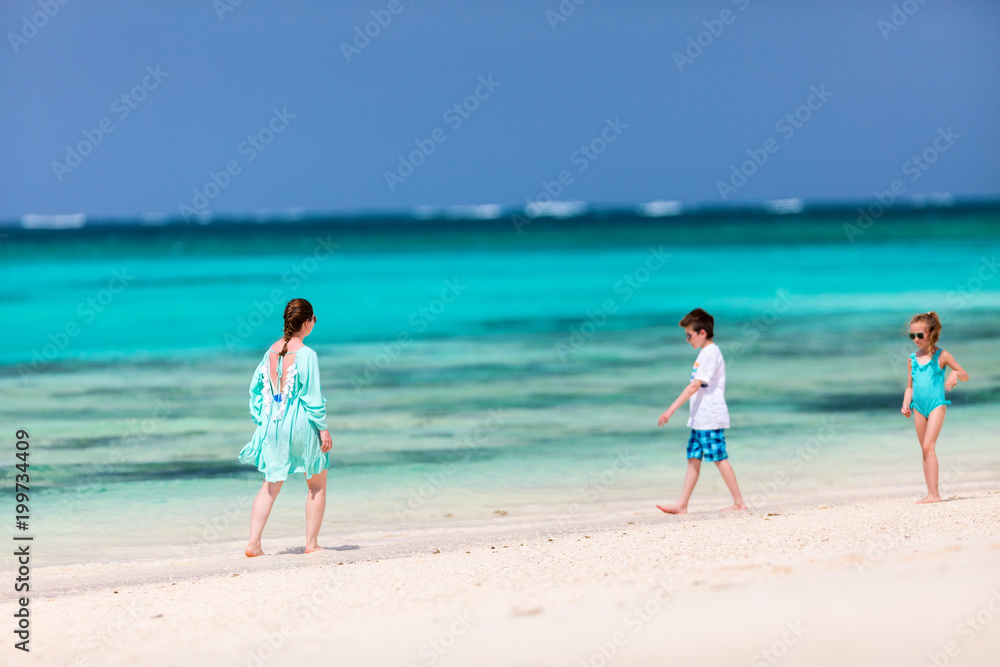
[709, 413]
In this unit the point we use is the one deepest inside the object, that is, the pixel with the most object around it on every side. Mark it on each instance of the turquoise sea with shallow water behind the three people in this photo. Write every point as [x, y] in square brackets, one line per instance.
[474, 366]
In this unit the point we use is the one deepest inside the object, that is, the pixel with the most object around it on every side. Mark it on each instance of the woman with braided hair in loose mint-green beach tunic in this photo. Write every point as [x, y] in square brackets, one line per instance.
[287, 405]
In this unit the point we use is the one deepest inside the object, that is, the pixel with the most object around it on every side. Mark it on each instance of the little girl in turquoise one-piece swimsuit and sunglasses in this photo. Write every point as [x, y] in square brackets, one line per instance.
[925, 392]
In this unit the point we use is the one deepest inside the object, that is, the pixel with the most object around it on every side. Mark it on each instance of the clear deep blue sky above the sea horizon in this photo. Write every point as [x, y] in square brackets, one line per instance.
[598, 98]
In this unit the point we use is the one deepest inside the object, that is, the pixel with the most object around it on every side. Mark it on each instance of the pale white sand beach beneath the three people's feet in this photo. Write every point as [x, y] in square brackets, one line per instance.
[866, 578]
